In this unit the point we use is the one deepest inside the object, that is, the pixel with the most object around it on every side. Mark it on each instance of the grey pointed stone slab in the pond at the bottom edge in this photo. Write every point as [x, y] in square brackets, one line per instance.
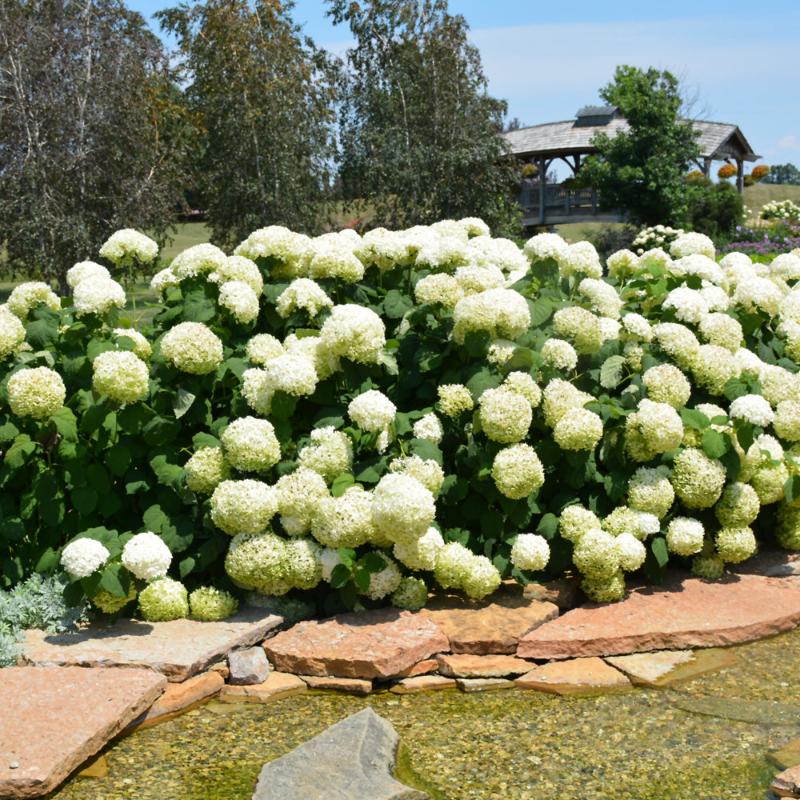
[351, 760]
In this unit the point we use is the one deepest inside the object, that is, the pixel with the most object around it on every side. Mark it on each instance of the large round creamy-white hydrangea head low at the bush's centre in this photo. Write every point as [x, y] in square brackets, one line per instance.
[402, 508]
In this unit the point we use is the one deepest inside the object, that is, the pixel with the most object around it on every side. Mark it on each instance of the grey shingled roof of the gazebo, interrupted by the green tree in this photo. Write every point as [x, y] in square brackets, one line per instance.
[717, 140]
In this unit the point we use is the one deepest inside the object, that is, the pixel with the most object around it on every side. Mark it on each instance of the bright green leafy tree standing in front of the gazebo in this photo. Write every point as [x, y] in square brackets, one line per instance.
[641, 171]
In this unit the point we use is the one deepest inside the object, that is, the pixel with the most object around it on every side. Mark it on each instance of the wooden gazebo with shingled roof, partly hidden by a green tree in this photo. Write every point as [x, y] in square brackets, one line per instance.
[571, 140]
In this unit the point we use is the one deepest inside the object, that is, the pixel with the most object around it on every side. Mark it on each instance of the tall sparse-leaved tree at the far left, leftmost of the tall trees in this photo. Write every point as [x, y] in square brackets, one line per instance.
[91, 131]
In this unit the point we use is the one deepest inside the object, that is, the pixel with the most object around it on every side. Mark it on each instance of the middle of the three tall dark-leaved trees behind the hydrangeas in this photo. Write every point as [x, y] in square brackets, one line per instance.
[264, 100]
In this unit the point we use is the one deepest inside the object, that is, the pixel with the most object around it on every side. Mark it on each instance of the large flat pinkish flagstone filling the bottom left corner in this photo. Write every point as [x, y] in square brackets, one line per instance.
[54, 718]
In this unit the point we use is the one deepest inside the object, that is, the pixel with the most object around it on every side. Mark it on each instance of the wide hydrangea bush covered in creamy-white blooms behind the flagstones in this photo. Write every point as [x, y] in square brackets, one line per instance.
[353, 420]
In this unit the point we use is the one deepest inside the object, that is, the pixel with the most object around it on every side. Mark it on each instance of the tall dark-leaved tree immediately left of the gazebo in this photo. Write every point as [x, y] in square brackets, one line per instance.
[421, 137]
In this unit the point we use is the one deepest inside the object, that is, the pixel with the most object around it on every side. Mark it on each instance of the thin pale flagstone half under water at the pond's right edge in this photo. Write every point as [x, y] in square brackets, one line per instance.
[668, 666]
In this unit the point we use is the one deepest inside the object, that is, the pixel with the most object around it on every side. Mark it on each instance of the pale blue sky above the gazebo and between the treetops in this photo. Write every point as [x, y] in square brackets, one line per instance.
[547, 60]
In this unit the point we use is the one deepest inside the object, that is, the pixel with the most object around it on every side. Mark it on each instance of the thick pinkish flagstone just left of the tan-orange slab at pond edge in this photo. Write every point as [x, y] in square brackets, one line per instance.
[371, 644]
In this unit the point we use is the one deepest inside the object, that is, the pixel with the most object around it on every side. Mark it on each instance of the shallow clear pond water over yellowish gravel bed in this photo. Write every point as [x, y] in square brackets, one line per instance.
[702, 738]
